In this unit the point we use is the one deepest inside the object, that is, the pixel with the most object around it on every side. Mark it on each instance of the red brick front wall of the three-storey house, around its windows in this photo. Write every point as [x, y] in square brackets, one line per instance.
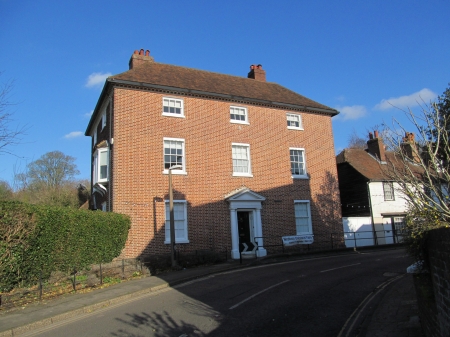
[140, 187]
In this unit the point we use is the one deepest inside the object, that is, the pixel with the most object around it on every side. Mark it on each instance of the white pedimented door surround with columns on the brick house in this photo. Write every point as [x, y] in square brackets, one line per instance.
[245, 200]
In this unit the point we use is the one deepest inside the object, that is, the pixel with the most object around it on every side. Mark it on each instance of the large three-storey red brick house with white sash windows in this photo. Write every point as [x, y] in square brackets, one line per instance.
[253, 160]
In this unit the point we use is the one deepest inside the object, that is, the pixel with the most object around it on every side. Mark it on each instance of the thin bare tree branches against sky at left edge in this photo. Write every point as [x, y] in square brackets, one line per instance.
[9, 136]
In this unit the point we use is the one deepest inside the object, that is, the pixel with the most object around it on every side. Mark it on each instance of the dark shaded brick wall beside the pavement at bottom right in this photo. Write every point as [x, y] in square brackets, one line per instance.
[433, 290]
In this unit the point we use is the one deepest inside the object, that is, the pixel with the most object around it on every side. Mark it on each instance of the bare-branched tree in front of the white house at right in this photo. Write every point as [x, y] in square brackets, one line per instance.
[418, 165]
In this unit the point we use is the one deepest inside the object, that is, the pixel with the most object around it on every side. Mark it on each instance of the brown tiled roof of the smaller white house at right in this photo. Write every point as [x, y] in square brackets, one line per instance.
[368, 165]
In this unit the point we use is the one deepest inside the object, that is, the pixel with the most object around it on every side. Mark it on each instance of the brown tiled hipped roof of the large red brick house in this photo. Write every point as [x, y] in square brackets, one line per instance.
[159, 74]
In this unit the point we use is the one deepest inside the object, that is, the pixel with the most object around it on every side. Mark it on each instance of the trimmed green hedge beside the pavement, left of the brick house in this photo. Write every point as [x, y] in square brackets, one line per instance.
[37, 239]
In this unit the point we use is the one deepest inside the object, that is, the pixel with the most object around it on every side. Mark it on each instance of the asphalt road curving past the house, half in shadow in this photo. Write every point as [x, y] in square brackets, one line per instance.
[312, 297]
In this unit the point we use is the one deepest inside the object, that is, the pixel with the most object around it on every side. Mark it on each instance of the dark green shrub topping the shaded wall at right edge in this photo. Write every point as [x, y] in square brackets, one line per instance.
[419, 222]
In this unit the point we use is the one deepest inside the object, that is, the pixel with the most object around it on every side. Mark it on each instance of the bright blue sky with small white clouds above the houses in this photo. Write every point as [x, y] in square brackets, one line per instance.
[360, 57]
